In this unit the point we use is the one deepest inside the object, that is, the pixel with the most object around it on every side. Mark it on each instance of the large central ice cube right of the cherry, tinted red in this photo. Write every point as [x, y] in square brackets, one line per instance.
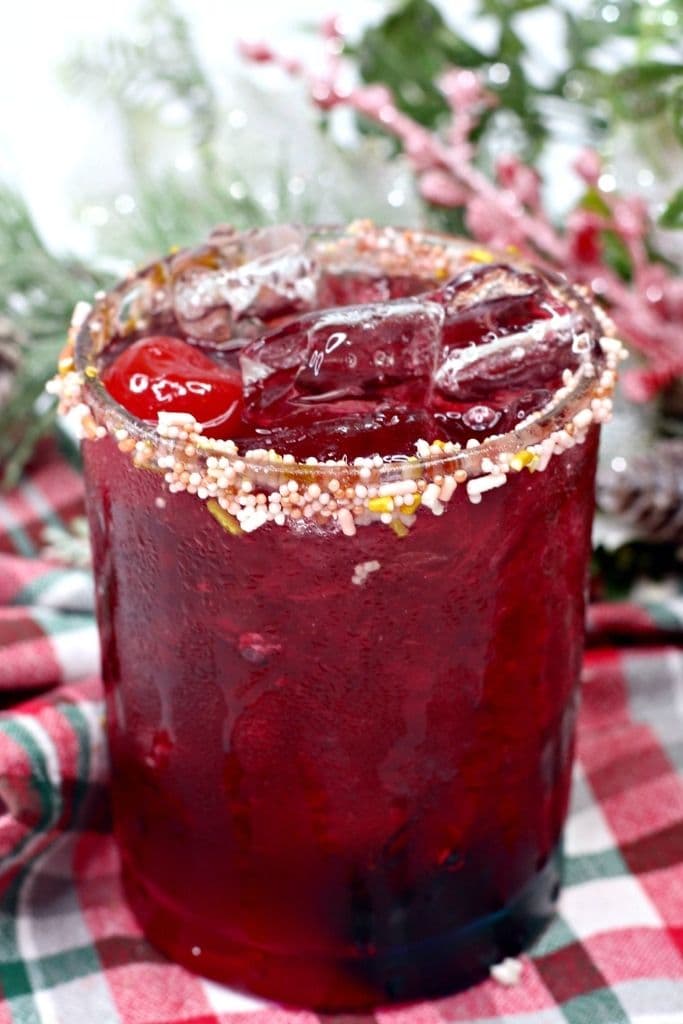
[314, 367]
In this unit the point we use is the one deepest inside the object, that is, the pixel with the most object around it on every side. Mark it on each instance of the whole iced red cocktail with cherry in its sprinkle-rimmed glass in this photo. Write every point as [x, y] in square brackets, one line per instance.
[343, 724]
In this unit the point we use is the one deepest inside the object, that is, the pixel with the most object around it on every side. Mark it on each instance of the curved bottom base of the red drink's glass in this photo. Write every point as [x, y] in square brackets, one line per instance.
[439, 966]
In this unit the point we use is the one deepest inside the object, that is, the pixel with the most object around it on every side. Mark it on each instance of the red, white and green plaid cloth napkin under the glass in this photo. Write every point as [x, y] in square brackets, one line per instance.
[70, 950]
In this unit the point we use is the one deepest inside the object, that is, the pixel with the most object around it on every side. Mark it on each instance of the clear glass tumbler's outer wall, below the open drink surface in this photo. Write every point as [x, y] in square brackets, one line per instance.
[341, 747]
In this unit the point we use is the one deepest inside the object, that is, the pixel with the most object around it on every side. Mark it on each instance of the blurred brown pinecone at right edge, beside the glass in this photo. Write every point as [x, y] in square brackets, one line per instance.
[646, 492]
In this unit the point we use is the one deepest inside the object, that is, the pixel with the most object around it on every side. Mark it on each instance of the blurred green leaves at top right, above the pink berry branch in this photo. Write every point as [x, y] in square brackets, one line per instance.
[648, 84]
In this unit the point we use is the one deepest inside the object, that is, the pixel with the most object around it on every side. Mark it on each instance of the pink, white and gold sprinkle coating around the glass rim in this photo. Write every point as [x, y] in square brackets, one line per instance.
[369, 489]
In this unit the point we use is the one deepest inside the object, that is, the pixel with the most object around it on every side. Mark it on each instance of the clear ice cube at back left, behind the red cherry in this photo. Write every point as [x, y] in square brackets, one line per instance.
[264, 274]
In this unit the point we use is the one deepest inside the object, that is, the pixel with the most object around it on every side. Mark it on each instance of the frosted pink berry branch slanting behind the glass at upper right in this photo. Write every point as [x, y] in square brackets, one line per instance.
[508, 211]
